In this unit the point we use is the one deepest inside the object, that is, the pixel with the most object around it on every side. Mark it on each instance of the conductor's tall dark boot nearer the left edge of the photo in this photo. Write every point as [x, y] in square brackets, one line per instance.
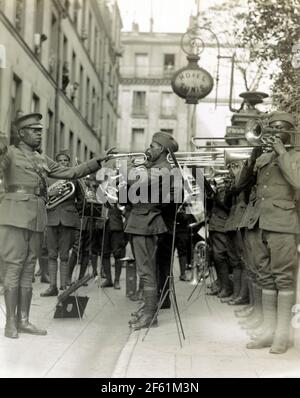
[11, 301]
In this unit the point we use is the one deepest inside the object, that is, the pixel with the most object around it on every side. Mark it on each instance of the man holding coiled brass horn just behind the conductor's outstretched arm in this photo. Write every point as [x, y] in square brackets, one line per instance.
[62, 221]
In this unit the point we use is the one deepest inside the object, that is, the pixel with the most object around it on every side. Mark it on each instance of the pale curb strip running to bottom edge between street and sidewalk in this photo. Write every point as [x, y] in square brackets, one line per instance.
[123, 362]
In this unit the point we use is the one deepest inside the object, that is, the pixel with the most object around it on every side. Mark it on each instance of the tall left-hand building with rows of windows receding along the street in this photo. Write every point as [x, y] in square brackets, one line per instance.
[61, 58]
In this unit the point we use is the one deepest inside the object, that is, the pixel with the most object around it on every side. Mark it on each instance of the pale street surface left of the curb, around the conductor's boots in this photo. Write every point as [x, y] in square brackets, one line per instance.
[72, 348]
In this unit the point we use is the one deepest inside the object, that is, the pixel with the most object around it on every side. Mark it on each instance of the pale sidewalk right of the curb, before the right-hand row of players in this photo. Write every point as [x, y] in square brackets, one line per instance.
[214, 345]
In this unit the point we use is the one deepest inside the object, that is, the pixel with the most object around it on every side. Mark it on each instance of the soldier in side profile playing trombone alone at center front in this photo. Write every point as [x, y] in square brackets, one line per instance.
[146, 225]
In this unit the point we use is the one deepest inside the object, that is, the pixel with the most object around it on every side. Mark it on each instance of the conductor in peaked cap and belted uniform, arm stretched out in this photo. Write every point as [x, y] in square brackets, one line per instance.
[23, 216]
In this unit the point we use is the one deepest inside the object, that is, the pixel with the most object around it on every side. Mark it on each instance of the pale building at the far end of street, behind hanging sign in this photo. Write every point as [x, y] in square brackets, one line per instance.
[148, 103]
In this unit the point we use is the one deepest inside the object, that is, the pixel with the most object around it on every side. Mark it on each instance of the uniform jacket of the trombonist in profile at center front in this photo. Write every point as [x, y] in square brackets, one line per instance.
[146, 218]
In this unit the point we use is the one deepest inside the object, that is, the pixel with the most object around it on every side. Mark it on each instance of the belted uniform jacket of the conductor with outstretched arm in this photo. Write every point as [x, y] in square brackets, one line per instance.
[28, 210]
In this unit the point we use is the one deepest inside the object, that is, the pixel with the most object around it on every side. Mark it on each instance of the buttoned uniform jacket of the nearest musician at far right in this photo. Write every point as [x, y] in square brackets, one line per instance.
[275, 203]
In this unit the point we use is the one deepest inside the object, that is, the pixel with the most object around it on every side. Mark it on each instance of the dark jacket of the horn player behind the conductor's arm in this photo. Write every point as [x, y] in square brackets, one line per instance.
[65, 213]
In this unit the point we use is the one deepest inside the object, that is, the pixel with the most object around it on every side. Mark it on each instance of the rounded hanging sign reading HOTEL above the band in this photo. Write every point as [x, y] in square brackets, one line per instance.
[192, 83]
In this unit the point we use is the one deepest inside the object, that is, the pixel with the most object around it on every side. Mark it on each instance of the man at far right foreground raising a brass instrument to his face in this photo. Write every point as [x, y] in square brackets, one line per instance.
[275, 223]
